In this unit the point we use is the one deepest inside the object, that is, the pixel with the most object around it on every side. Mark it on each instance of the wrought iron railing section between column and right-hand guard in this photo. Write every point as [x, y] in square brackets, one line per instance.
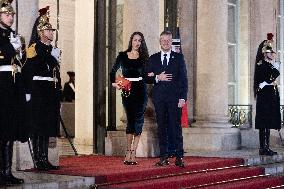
[240, 115]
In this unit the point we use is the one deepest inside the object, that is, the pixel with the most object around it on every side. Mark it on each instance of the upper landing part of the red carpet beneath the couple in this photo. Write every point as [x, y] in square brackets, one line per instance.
[111, 168]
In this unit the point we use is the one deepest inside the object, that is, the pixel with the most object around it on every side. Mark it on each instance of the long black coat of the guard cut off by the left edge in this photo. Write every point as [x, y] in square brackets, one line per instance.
[12, 97]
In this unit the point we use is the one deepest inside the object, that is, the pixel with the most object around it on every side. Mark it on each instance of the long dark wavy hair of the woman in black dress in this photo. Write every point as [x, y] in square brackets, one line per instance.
[143, 50]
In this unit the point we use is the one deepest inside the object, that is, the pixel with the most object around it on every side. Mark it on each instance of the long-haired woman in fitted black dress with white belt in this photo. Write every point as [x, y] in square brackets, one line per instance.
[132, 62]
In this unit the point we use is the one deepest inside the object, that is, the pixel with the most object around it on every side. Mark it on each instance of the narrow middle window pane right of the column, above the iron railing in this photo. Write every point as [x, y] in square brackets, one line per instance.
[232, 62]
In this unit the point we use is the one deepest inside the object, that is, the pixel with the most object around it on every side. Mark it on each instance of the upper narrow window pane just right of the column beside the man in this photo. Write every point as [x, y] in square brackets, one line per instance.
[231, 24]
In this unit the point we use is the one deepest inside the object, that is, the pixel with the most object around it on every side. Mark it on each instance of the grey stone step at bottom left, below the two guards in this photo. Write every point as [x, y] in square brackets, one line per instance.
[47, 181]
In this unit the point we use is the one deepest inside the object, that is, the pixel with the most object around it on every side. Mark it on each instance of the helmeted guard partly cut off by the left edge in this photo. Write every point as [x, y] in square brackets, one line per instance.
[12, 97]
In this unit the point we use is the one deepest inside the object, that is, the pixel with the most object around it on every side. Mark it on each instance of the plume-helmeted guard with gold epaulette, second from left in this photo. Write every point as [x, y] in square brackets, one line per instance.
[43, 91]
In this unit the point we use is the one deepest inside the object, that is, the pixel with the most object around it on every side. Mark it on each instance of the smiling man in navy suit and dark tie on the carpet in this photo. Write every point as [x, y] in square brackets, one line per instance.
[167, 70]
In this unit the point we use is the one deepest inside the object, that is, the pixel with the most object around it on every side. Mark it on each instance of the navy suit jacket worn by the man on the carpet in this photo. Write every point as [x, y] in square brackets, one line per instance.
[168, 90]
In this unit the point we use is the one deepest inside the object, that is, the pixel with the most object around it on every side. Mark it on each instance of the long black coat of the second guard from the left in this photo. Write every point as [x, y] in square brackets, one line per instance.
[45, 94]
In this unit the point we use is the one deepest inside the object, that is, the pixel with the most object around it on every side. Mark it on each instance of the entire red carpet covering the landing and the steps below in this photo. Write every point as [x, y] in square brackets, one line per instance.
[110, 172]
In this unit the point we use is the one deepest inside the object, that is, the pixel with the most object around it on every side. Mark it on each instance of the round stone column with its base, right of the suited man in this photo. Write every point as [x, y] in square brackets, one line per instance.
[212, 130]
